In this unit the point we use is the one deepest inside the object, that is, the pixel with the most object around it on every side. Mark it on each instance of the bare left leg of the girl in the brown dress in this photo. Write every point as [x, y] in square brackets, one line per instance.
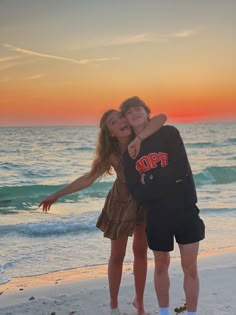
[118, 249]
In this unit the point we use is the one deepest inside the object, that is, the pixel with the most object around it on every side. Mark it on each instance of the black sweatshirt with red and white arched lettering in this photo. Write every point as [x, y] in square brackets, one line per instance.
[168, 176]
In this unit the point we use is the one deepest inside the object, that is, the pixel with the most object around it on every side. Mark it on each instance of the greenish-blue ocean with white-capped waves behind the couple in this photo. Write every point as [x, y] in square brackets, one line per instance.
[36, 161]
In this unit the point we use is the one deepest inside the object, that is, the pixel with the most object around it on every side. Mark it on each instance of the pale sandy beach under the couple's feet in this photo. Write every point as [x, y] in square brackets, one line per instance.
[84, 291]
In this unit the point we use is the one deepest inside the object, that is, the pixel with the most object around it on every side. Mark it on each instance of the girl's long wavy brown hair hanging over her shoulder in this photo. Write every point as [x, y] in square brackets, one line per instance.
[106, 146]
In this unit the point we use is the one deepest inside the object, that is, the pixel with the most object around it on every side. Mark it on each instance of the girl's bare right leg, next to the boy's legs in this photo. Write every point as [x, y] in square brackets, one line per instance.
[140, 266]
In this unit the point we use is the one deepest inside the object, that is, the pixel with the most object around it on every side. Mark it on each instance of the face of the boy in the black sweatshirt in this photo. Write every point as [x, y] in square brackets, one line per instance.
[136, 116]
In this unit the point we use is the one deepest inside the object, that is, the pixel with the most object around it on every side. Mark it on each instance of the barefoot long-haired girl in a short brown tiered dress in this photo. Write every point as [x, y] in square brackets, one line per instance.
[121, 216]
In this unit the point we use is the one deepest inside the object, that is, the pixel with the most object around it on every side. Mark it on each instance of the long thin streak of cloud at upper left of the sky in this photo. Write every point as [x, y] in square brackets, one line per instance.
[43, 55]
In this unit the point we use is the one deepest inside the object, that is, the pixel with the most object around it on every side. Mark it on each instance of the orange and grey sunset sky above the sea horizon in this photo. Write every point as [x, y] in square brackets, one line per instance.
[66, 61]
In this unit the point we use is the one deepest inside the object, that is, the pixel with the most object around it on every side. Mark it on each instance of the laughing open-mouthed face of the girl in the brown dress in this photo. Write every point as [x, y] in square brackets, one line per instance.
[118, 125]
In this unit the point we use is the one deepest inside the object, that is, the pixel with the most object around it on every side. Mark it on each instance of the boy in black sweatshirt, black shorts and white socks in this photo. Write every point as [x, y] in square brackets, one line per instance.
[160, 178]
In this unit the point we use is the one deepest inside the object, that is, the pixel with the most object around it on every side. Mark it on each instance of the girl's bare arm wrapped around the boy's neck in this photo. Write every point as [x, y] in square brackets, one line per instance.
[155, 123]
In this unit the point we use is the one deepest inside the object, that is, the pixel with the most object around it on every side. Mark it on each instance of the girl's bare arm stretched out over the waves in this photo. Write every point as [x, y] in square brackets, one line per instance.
[77, 185]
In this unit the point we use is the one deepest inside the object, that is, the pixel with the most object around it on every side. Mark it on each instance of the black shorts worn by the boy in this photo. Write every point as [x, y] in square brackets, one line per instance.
[182, 223]
